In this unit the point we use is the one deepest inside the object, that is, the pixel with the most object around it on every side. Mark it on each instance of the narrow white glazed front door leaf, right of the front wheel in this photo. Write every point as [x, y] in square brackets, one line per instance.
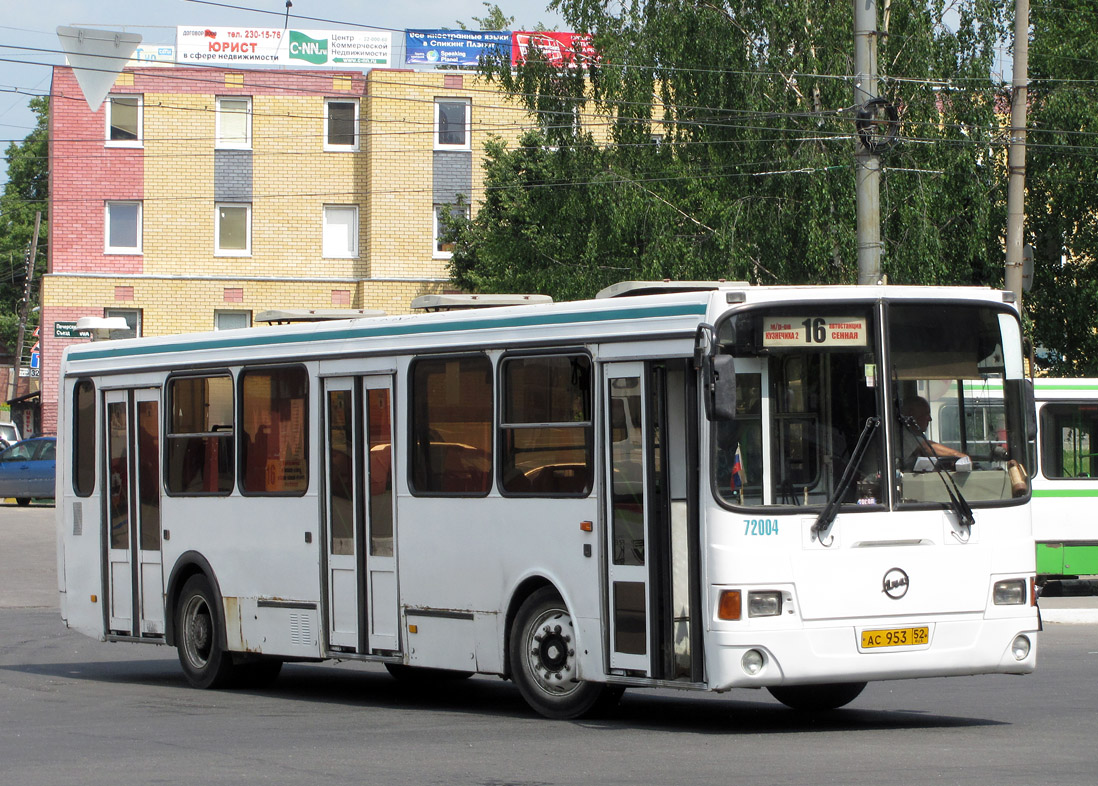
[628, 469]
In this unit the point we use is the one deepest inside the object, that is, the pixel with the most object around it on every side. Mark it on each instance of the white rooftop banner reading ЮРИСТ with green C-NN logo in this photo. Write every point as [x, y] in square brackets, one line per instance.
[266, 47]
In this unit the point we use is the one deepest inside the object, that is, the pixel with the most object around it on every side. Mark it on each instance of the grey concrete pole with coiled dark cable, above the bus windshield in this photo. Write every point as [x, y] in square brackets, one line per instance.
[868, 162]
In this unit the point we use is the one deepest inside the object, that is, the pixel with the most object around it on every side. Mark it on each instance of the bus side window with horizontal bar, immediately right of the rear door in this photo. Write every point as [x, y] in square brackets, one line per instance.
[199, 456]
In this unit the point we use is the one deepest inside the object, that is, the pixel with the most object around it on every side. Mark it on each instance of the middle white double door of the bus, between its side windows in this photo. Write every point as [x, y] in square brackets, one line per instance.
[362, 568]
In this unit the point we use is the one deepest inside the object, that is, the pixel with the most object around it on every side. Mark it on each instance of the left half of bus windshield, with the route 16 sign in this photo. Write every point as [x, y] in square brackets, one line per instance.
[806, 384]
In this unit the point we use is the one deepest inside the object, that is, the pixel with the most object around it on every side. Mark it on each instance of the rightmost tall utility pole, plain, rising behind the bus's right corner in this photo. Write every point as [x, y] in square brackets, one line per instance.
[1016, 155]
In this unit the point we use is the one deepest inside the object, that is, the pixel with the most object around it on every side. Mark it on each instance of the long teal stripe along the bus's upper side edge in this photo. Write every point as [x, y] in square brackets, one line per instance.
[94, 352]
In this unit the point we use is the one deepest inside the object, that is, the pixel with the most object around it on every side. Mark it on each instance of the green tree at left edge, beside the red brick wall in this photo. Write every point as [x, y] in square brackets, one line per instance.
[26, 193]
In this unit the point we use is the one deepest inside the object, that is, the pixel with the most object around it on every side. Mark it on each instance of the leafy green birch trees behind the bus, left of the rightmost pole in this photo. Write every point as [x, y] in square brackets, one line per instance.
[723, 149]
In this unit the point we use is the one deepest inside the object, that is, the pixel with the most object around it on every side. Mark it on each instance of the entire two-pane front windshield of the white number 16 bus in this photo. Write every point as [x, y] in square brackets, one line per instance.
[810, 380]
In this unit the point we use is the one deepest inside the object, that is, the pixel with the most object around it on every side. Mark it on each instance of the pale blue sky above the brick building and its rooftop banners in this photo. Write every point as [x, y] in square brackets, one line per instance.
[33, 24]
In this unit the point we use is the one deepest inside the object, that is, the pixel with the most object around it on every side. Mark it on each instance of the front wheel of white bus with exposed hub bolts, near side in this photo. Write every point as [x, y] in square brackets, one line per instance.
[544, 663]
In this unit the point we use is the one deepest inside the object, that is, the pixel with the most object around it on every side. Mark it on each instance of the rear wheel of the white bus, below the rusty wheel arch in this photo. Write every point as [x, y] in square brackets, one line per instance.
[198, 637]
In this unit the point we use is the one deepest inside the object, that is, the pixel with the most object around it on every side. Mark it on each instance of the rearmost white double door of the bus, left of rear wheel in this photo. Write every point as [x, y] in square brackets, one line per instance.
[135, 590]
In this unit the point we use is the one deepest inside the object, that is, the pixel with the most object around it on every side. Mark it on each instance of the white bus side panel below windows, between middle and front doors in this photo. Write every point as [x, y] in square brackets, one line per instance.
[458, 574]
